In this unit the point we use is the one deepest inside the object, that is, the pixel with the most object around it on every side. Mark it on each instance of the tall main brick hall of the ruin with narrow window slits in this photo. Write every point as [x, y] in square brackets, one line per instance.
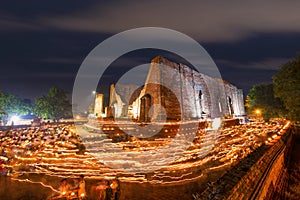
[198, 95]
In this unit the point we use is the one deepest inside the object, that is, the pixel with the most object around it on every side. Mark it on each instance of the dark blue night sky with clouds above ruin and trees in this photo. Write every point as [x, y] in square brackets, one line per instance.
[43, 43]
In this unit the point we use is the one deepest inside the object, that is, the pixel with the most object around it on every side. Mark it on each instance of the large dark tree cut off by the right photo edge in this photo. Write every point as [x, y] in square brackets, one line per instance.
[287, 87]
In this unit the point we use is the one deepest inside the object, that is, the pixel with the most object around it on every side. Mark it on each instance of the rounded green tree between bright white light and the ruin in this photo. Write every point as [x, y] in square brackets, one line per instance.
[55, 105]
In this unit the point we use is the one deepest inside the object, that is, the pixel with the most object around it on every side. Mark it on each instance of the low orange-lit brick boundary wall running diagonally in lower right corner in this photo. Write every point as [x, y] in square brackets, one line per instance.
[242, 180]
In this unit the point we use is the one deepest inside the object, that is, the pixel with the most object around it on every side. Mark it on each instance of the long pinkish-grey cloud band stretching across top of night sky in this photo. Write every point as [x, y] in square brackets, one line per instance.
[203, 20]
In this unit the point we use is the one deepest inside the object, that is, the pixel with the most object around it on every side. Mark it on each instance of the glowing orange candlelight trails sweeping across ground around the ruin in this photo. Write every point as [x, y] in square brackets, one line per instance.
[57, 151]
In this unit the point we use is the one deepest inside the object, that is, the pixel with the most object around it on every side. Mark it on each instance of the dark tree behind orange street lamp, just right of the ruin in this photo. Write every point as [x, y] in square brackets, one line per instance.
[262, 97]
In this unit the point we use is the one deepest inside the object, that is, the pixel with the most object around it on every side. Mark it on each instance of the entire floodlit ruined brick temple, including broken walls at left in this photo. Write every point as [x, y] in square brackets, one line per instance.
[175, 91]
